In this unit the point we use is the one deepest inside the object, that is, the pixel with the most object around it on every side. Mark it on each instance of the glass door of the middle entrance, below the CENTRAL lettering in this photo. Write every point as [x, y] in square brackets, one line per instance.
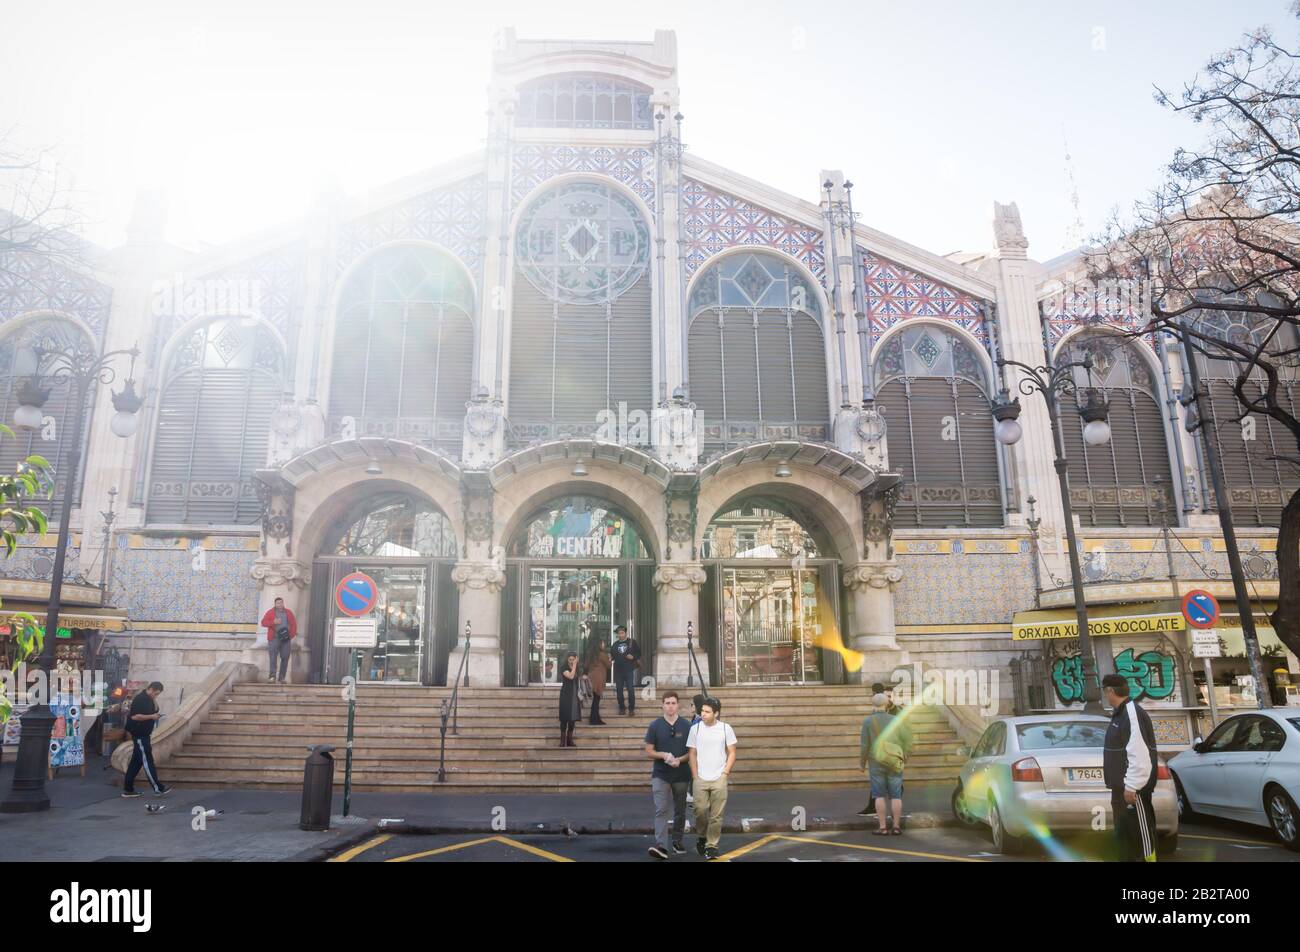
[567, 611]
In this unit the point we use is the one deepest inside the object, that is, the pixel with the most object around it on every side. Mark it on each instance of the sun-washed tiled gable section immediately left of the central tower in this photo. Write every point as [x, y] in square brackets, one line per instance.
[453, 217]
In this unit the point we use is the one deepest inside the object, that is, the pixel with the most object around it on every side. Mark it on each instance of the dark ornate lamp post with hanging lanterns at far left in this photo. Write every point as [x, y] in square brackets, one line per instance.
[79, 367]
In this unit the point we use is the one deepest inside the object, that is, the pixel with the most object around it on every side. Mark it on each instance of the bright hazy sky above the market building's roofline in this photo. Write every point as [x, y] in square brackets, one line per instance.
[244, 111]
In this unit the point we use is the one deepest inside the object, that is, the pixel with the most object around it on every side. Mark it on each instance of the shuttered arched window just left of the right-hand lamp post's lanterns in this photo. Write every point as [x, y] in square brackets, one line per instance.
[934, 392]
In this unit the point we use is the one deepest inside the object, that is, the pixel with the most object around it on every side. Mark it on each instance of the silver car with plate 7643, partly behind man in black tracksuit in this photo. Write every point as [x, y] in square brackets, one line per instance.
[1032, 778]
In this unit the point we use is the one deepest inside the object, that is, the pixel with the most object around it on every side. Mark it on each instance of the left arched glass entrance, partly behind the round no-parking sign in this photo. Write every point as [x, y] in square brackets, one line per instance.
[408, 546]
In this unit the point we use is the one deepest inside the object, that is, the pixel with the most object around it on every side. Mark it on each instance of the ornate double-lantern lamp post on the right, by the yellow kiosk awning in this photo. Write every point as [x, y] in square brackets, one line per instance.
[1054, 382]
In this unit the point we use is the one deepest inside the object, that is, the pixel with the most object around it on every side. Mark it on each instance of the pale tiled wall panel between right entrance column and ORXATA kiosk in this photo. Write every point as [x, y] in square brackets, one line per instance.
[972, 590]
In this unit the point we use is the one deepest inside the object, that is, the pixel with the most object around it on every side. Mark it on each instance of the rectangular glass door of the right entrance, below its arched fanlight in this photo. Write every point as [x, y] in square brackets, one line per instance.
[772, 621]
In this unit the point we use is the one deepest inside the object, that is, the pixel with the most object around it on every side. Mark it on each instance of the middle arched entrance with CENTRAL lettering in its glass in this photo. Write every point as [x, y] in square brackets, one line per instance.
[577, 569]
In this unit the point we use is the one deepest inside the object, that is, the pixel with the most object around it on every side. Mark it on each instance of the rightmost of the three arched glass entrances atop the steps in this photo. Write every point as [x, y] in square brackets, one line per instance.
[772, 595]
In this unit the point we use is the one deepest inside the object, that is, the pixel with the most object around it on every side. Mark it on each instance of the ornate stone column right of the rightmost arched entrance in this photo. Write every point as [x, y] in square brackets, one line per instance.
[872, 586]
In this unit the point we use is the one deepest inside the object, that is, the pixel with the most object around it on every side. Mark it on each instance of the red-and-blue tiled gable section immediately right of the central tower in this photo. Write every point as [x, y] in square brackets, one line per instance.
[714, 222]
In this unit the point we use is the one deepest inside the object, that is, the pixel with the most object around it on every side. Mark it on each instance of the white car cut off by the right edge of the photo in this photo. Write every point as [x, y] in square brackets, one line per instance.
[1249, 769]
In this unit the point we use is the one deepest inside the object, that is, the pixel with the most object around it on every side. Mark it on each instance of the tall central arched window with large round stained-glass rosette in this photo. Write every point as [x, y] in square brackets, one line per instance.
[583, 332]
